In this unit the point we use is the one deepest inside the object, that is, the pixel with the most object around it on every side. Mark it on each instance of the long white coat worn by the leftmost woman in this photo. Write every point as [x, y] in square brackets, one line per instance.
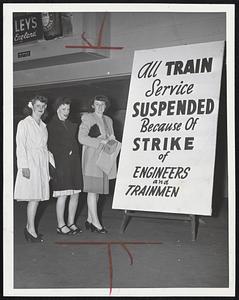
[32, 153]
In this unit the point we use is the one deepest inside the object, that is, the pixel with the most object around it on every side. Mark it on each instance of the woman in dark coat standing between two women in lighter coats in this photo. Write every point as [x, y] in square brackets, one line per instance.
[67, 179]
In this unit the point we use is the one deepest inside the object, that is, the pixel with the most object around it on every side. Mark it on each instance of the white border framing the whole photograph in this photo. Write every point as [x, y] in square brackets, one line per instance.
[8, 231]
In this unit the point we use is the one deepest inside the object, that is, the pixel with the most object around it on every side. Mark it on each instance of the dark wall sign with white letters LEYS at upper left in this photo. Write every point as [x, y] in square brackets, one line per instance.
[27, 27]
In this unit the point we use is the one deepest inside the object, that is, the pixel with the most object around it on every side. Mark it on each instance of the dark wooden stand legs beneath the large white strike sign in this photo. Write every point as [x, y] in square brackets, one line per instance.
[128, 214]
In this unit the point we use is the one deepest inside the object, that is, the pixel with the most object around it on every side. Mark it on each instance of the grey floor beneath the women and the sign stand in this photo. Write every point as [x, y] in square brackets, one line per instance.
[173, 261]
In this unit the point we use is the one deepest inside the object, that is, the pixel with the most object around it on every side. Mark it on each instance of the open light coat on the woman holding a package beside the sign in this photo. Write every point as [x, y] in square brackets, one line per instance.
[92, 146]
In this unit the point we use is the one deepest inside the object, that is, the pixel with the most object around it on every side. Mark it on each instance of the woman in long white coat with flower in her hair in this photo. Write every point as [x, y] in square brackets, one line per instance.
[32, 181]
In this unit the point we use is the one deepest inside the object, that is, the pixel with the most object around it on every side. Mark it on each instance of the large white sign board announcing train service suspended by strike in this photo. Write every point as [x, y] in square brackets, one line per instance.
[169, 141]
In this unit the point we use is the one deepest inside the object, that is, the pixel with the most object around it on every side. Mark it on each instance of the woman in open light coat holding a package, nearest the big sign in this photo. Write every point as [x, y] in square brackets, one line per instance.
[95, 130]
